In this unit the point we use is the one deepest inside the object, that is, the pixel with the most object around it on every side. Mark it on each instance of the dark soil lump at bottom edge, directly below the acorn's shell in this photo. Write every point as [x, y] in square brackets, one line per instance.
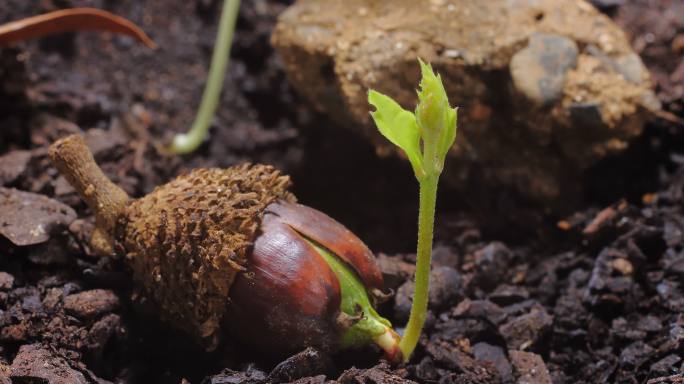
[309, 362]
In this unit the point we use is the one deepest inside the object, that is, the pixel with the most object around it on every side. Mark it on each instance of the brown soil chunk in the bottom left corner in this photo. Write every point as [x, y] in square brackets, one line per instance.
[33, 363]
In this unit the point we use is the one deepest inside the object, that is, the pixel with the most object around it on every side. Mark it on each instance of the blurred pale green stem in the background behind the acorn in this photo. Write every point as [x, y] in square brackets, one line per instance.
[188, 142]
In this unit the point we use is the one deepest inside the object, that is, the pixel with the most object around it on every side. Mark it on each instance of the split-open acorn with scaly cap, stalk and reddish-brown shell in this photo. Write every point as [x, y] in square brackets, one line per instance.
[229, 251]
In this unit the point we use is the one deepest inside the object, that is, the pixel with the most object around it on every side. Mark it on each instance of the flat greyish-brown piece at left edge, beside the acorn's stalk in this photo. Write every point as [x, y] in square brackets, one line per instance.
[29, 218]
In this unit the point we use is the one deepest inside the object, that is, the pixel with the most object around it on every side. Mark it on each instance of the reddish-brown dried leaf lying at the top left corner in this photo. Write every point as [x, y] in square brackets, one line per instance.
[70, 20]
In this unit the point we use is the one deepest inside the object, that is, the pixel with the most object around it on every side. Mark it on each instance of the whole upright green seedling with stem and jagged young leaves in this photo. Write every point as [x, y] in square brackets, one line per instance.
[425, 136]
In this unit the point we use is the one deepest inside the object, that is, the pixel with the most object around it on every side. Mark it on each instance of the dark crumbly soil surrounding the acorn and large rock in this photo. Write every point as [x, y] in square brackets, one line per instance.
[600, 299]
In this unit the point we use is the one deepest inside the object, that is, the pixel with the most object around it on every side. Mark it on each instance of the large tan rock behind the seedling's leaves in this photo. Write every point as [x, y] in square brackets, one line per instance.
[547, 87]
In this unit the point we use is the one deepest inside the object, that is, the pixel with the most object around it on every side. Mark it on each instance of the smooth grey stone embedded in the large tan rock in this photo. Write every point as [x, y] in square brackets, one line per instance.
[538, 70]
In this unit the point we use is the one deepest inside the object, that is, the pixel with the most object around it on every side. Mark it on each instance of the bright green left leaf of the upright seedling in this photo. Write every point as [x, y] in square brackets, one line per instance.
[398, 126]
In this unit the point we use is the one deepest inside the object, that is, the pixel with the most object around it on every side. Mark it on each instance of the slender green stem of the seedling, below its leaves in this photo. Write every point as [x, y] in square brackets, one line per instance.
[426, 221]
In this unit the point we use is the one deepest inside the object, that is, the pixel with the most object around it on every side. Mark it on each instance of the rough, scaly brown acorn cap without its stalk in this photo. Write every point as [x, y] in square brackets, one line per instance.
[187, 240]
